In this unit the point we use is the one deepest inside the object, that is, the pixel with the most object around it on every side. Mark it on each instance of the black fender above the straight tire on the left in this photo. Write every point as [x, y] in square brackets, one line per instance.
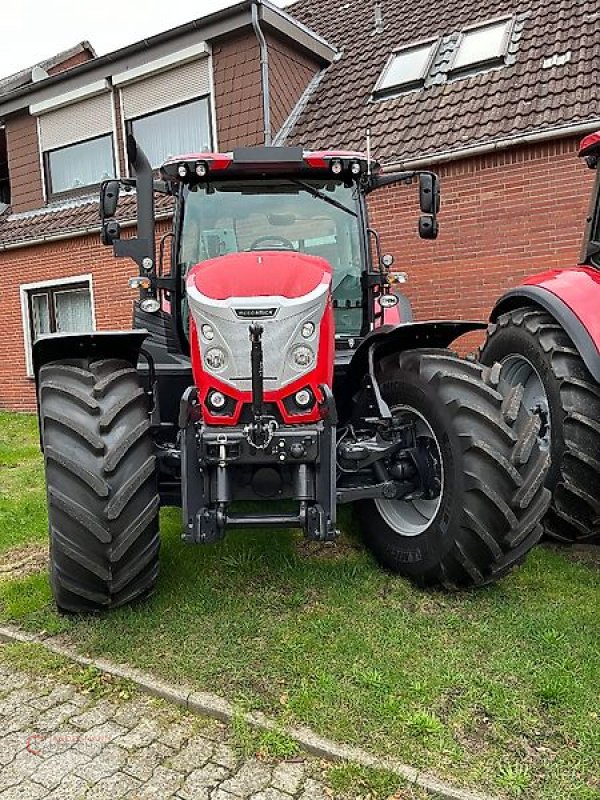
[101, 344]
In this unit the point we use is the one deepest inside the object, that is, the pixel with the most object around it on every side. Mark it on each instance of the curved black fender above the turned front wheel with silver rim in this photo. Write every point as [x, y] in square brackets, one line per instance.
[390, 339]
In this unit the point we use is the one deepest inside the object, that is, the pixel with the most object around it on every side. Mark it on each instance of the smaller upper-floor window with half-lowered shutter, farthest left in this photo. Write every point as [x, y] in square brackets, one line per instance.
[79, 165]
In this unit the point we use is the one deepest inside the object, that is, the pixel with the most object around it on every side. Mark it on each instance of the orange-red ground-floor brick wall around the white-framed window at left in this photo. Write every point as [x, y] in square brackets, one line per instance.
[53, 261]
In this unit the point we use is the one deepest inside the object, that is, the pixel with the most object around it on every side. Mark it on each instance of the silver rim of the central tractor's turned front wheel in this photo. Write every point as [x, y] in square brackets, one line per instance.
[412, 516]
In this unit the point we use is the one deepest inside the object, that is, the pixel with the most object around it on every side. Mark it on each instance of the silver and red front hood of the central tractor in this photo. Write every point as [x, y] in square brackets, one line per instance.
[288, 293]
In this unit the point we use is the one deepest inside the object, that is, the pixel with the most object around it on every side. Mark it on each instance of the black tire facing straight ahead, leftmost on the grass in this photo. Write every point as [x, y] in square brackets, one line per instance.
[101, 483]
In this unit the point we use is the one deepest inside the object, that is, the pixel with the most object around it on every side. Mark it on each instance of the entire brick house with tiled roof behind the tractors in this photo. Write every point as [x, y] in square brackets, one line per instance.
[492, 94]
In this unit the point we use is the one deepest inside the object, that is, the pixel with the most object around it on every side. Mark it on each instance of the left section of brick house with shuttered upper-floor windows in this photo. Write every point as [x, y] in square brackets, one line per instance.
[63, 127]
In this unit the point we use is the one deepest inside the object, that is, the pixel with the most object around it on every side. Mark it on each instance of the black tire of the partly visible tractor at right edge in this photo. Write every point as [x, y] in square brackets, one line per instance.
[573, 399]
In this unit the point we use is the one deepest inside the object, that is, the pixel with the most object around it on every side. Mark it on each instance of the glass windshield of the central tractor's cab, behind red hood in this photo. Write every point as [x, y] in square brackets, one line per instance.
[313, 217]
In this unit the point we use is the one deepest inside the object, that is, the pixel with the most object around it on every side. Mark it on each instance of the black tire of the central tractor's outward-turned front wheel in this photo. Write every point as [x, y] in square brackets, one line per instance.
[492, 474]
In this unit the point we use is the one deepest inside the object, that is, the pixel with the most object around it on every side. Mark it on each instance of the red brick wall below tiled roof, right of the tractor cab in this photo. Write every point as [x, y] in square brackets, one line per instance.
[503, 217]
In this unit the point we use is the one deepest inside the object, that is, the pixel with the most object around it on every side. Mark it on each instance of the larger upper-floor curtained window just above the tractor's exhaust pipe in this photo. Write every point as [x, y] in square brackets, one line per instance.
[174, 131]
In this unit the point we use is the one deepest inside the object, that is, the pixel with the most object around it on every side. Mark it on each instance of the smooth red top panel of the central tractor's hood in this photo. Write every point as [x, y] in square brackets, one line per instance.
[262, 273]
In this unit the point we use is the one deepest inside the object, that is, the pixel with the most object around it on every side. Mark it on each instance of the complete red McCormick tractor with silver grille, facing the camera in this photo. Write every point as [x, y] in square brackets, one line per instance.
[269, 362]
